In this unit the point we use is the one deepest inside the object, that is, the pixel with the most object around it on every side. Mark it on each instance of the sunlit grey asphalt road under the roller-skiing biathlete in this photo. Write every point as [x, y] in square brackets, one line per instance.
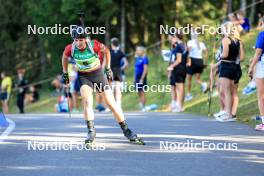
[39, 145]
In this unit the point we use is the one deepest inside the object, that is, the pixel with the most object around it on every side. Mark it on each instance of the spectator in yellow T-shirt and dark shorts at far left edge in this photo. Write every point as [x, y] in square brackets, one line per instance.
[6, 87]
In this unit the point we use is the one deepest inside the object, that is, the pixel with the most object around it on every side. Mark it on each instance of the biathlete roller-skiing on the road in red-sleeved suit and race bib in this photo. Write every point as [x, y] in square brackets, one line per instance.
[91, 77]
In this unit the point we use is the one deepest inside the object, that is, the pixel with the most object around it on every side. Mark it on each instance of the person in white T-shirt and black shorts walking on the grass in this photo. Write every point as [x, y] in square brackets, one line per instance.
[196, 50]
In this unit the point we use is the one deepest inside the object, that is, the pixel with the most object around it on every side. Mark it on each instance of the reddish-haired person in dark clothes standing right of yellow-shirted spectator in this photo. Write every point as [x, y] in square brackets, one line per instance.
[21, 85]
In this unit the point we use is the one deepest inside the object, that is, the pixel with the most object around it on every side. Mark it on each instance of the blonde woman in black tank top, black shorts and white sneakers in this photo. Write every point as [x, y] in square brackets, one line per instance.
[229, 71]
